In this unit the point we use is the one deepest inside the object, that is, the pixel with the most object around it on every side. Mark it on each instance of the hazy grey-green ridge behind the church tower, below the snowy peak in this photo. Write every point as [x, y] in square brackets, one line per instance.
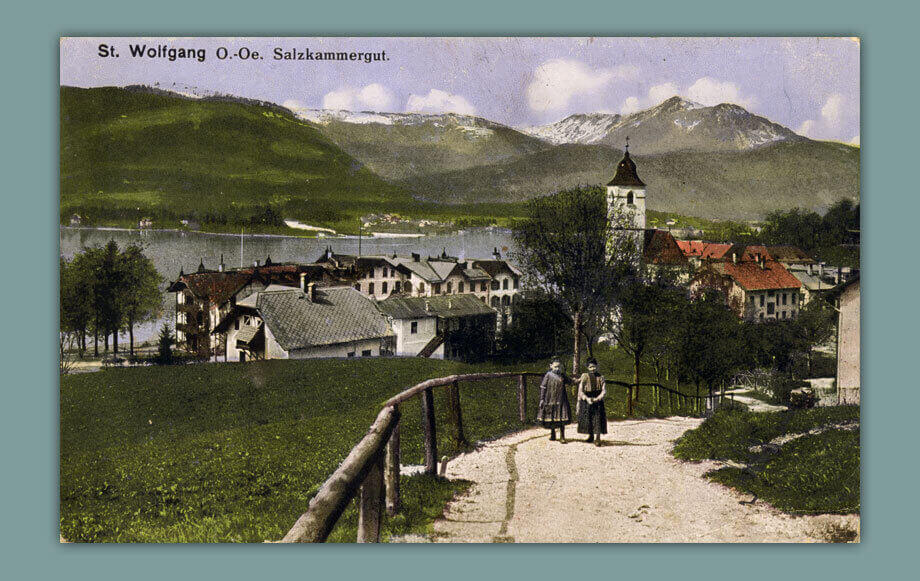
[738, 185]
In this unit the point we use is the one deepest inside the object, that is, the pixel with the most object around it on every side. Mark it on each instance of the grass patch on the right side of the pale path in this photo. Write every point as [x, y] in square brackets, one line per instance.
[812, 474]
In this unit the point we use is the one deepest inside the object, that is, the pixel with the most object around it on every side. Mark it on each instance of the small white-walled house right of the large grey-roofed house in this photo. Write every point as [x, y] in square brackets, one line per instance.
[445, 327]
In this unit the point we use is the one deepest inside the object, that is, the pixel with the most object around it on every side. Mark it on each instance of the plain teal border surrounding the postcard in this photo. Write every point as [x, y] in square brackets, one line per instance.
[29, 401]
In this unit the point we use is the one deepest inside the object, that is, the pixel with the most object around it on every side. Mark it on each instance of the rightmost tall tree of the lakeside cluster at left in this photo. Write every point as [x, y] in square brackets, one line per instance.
[139, 296]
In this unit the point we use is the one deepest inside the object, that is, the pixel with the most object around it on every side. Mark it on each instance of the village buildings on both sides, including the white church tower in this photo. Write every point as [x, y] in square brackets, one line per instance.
[340, 305]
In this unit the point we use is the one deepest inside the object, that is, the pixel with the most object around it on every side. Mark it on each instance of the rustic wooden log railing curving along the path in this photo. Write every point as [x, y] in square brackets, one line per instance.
[371, 470]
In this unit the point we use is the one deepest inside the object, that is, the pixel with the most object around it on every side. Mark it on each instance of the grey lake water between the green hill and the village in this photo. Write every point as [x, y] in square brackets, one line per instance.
[171, 251]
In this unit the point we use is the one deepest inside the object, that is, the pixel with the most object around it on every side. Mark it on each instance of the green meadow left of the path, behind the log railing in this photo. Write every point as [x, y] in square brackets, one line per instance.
[233, 452]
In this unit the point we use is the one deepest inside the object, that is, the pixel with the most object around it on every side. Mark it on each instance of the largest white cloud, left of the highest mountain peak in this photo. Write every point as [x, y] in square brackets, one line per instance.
[556, 81]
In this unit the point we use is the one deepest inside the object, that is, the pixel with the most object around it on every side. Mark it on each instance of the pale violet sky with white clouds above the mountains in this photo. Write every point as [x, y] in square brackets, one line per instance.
[810, 85]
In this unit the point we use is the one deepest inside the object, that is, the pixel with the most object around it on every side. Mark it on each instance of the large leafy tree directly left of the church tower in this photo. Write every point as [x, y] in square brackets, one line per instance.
[571, 249]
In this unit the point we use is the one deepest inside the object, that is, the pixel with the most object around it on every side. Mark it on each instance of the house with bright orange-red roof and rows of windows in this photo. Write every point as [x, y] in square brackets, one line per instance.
[755, 289]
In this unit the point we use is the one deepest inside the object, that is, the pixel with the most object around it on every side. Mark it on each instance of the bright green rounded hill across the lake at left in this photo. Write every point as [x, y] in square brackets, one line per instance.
[127, 154]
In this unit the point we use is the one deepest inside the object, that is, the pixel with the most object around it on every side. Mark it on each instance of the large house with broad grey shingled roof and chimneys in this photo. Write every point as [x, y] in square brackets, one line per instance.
[282, 322]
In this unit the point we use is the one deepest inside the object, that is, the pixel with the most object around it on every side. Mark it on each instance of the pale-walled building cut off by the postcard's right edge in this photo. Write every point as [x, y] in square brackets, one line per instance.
[846, 297]
